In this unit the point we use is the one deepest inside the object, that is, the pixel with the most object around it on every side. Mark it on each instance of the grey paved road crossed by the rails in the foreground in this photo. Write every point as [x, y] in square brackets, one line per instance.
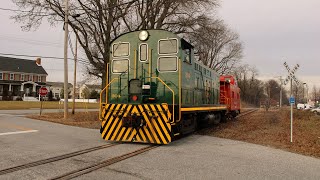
[194, 157]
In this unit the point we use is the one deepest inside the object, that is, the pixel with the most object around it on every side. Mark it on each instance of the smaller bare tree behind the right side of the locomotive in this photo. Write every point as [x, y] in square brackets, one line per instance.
[218, 46]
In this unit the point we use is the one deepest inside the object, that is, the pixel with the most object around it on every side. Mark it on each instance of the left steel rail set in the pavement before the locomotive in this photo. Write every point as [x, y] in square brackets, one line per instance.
[53, 159]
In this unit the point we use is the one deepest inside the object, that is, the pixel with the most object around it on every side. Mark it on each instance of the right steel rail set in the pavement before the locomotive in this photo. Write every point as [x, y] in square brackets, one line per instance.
[102, 164]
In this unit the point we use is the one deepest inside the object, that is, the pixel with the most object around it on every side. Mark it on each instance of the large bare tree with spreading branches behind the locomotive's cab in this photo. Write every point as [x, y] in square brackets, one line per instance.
[97, 23]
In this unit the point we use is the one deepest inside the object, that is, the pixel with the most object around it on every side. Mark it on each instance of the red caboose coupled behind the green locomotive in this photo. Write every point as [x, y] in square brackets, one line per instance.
[230, 94]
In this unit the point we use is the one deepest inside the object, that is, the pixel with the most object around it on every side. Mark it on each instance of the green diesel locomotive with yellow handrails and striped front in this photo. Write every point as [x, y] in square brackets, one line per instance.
[156, 90]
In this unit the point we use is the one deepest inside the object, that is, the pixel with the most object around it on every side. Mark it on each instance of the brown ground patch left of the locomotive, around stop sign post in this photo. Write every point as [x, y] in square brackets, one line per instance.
[81, 119]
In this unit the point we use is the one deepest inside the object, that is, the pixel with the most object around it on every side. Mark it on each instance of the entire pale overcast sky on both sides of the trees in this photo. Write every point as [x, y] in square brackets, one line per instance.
[272, 31]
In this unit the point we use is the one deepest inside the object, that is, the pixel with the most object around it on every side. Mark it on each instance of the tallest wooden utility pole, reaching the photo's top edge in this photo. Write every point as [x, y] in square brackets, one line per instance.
[66, 32]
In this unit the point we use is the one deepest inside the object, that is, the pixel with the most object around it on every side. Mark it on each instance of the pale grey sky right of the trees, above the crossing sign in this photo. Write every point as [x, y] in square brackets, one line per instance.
[277, 31]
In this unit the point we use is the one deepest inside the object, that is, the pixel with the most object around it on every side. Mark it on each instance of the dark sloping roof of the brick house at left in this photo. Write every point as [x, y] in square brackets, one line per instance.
[20, 65]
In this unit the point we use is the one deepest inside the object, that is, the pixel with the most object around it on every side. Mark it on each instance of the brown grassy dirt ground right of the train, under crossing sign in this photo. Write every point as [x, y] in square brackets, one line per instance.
[272, 129]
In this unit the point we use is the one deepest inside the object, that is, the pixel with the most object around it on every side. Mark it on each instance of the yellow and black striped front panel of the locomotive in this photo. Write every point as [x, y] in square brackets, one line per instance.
[153, 123]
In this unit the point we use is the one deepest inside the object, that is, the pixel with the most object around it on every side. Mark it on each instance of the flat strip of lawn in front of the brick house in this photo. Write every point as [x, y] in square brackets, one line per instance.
[12, 105]
